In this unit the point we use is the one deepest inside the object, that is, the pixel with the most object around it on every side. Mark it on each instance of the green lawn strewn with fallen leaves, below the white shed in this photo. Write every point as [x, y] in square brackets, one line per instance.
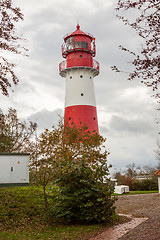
[22, 217]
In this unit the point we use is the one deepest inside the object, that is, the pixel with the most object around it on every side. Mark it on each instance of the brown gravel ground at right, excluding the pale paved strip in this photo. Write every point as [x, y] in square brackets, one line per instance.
[146, 205]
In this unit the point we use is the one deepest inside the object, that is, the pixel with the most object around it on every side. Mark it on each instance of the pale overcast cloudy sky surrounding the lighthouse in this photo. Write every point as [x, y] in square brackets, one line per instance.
[126, 110]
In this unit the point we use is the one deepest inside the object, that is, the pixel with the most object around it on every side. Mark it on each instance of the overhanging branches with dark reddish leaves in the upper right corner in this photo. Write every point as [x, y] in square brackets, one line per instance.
[146, 23]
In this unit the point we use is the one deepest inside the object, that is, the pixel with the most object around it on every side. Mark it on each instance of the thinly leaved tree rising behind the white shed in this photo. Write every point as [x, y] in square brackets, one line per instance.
[15, 135]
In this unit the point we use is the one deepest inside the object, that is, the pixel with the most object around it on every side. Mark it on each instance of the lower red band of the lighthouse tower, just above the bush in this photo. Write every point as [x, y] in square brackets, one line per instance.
[82, 115]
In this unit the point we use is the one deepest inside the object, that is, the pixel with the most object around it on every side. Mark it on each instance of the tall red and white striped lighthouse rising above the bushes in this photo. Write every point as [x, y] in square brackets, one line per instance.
[79, 70]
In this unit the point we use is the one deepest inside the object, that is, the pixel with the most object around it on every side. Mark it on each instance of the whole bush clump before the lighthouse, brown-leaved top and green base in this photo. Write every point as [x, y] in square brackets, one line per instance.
[76, 161]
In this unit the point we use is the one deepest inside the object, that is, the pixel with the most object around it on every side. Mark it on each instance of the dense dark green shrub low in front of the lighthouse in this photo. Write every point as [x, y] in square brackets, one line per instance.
[83, 197]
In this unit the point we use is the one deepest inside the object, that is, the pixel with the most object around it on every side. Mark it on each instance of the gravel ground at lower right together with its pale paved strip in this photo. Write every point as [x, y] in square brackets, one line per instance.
[145, 225]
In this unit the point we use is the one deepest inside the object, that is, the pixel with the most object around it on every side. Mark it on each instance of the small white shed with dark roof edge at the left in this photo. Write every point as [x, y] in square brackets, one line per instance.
[14, 168]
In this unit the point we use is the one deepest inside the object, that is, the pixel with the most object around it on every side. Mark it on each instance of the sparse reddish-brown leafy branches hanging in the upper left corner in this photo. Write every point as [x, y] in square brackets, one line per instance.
[9, 42]
